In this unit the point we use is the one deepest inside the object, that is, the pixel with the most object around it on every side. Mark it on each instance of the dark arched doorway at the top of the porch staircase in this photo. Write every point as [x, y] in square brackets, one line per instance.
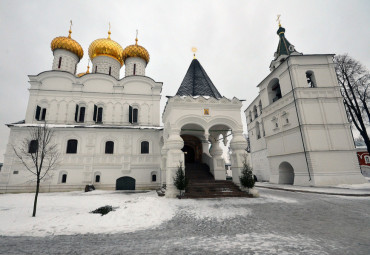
[192, 149]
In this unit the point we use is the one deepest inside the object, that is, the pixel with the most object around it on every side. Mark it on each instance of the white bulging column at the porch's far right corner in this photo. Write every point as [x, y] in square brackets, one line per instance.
[239, 154]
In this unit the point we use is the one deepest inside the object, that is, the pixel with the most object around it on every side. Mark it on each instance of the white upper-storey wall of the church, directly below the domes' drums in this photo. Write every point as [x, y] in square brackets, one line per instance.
[59, 93]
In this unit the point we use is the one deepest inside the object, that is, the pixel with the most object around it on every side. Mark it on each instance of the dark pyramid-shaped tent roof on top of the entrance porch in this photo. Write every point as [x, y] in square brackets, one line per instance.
[197, 83]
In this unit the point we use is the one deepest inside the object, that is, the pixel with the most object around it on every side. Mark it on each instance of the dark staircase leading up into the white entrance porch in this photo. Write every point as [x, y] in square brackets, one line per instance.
[203, 185]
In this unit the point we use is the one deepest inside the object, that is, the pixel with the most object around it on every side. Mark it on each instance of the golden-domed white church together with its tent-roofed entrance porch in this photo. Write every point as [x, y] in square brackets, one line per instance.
[108, 129]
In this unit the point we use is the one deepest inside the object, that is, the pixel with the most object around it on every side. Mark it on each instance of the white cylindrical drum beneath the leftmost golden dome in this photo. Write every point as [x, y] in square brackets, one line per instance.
[69, 61]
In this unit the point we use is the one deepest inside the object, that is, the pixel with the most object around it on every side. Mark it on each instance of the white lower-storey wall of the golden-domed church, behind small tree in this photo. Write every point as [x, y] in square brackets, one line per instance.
[90, 159]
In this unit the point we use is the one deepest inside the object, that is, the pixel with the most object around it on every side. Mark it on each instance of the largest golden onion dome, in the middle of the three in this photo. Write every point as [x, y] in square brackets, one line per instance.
[106, 47]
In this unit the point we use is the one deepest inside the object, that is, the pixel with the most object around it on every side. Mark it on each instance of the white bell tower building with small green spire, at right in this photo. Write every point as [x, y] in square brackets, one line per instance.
[297, 125]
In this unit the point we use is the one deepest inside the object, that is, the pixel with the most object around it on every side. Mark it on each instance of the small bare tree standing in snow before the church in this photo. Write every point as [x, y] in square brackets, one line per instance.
[38, 154]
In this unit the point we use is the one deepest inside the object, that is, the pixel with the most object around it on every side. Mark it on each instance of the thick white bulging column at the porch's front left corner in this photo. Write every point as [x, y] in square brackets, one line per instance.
[175, 156]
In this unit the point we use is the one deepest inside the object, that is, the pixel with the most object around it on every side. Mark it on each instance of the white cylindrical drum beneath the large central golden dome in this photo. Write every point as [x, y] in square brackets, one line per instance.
[101, 64]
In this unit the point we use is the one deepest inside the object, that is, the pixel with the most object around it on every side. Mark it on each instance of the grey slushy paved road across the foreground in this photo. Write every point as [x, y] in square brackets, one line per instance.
[314, 224]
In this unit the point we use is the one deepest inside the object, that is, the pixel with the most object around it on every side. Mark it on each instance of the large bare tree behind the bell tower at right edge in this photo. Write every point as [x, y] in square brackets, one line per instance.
[354, 80]
